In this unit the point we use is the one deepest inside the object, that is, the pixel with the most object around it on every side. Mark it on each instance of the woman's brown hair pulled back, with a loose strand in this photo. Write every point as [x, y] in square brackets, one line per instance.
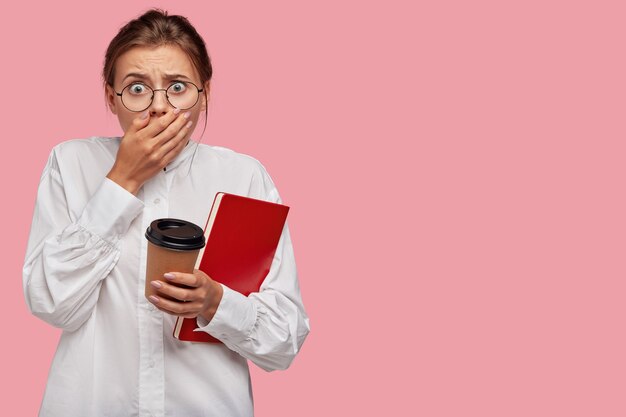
[155, 28]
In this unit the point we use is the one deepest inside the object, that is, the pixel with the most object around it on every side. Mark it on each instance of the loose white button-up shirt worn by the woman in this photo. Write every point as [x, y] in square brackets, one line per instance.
[84, 272]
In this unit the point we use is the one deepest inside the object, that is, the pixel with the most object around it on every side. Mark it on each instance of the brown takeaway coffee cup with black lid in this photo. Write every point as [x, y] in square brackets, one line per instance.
[173, 246]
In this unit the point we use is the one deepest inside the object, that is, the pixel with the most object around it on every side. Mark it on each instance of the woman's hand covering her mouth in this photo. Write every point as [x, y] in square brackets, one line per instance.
[148, 146]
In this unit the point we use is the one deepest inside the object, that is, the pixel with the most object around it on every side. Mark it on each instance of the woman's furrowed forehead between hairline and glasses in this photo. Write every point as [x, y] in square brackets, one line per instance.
[154, 62]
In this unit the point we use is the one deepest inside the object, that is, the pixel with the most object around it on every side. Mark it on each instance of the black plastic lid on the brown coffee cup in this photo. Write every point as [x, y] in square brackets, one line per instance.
[175, 234]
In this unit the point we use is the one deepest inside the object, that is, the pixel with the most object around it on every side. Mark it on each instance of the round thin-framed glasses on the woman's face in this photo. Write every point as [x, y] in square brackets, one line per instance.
[138, 96]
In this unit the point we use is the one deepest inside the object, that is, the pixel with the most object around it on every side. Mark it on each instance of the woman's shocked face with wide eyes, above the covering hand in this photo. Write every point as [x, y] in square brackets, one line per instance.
[152, 66]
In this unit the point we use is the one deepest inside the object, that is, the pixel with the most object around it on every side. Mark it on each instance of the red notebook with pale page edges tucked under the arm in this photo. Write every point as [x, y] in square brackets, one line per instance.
[242, 235]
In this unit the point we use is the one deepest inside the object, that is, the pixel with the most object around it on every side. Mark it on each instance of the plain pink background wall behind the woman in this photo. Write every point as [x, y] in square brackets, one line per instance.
[456, 177]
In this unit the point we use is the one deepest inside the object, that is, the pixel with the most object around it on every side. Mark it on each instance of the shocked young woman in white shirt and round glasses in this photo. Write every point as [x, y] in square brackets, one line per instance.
[84, 269]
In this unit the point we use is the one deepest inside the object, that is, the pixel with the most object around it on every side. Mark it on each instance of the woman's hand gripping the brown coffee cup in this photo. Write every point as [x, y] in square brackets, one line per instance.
[200, 296]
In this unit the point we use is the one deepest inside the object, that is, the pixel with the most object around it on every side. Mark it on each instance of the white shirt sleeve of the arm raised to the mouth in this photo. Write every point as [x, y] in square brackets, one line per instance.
[66, 260]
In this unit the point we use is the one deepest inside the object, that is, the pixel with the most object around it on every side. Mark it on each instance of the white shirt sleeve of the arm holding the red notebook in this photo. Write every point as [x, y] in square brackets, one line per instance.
[270, 326]
